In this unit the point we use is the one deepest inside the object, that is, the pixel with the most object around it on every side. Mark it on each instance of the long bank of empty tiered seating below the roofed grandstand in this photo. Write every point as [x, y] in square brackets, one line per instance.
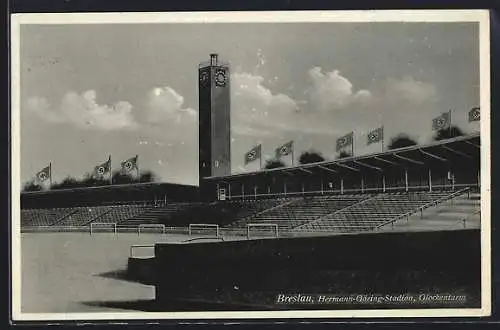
[310, 214]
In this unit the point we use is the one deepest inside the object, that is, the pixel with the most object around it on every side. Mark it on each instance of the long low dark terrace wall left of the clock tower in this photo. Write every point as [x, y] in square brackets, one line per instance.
[110, 195]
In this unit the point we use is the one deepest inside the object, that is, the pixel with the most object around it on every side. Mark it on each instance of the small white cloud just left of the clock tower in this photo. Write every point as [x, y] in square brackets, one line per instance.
[165, 104]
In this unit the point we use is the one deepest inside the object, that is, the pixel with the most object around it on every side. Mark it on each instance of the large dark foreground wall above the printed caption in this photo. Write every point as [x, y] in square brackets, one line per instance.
[396, 262]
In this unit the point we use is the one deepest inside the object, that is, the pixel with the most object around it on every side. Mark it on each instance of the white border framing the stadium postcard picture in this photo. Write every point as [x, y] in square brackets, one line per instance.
[480, 16]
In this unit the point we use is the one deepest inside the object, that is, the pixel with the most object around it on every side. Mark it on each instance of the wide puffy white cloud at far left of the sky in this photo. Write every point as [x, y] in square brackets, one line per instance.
[83, 111]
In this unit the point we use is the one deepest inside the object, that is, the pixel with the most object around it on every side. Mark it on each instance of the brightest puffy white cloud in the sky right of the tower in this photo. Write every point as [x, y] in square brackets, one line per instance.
[331, 91]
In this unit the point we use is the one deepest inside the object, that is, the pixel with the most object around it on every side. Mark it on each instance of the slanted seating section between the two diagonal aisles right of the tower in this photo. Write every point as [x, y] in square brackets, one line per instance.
[298, 211]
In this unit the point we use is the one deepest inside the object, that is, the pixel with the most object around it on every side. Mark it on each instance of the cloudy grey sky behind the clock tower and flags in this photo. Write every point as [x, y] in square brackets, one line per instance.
[89, 91]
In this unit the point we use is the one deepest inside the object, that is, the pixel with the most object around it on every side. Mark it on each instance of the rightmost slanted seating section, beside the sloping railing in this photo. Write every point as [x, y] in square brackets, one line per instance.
[372, 212]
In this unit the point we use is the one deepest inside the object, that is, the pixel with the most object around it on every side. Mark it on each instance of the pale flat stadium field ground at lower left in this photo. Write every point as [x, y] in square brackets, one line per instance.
[72, 272]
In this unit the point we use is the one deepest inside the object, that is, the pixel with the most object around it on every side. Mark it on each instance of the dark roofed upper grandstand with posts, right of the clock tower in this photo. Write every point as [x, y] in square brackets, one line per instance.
[446, 164]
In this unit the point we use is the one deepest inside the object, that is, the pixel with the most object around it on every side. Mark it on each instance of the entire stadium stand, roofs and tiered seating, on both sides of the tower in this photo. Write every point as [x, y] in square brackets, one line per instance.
[352, 194]
